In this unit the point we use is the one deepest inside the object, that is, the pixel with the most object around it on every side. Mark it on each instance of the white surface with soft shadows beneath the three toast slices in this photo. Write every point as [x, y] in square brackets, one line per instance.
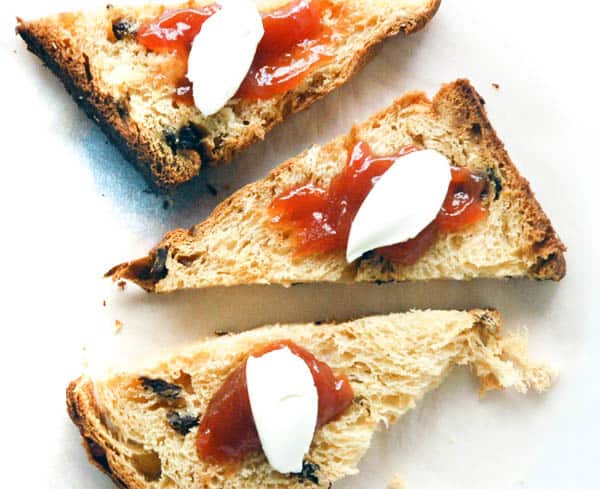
[71, 208]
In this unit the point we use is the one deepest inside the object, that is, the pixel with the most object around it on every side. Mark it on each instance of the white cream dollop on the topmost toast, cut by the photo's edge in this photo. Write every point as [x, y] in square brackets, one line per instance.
[222, 53]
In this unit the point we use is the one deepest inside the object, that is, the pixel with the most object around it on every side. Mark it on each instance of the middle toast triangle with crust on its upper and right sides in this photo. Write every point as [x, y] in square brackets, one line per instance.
[236, 245]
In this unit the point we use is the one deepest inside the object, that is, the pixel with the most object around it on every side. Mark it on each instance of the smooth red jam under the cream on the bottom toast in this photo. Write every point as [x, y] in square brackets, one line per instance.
[227, 432]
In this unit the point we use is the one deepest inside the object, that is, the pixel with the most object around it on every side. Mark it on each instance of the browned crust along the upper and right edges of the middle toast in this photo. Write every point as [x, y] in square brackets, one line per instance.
[456, 102]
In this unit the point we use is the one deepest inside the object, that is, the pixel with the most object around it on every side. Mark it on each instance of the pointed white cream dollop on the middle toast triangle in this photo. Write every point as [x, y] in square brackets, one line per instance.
[403, 202]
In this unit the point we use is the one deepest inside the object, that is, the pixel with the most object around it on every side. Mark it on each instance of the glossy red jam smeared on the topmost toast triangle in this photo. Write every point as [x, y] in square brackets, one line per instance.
[294, 43]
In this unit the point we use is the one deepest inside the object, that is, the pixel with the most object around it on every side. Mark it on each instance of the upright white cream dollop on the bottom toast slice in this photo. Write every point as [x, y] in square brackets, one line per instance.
[284, 403]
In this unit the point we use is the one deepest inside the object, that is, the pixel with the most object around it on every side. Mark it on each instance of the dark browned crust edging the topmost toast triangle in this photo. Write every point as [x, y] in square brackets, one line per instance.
[161, 170]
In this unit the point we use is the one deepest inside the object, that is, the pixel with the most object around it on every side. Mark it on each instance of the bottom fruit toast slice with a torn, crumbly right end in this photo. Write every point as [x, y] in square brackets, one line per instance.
[391, 362]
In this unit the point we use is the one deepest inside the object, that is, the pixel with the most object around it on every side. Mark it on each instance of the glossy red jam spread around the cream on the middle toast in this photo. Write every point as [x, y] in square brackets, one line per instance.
[319, 219]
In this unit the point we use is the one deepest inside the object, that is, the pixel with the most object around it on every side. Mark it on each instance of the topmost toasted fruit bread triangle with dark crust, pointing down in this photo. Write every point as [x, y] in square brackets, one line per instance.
[115, 81]
